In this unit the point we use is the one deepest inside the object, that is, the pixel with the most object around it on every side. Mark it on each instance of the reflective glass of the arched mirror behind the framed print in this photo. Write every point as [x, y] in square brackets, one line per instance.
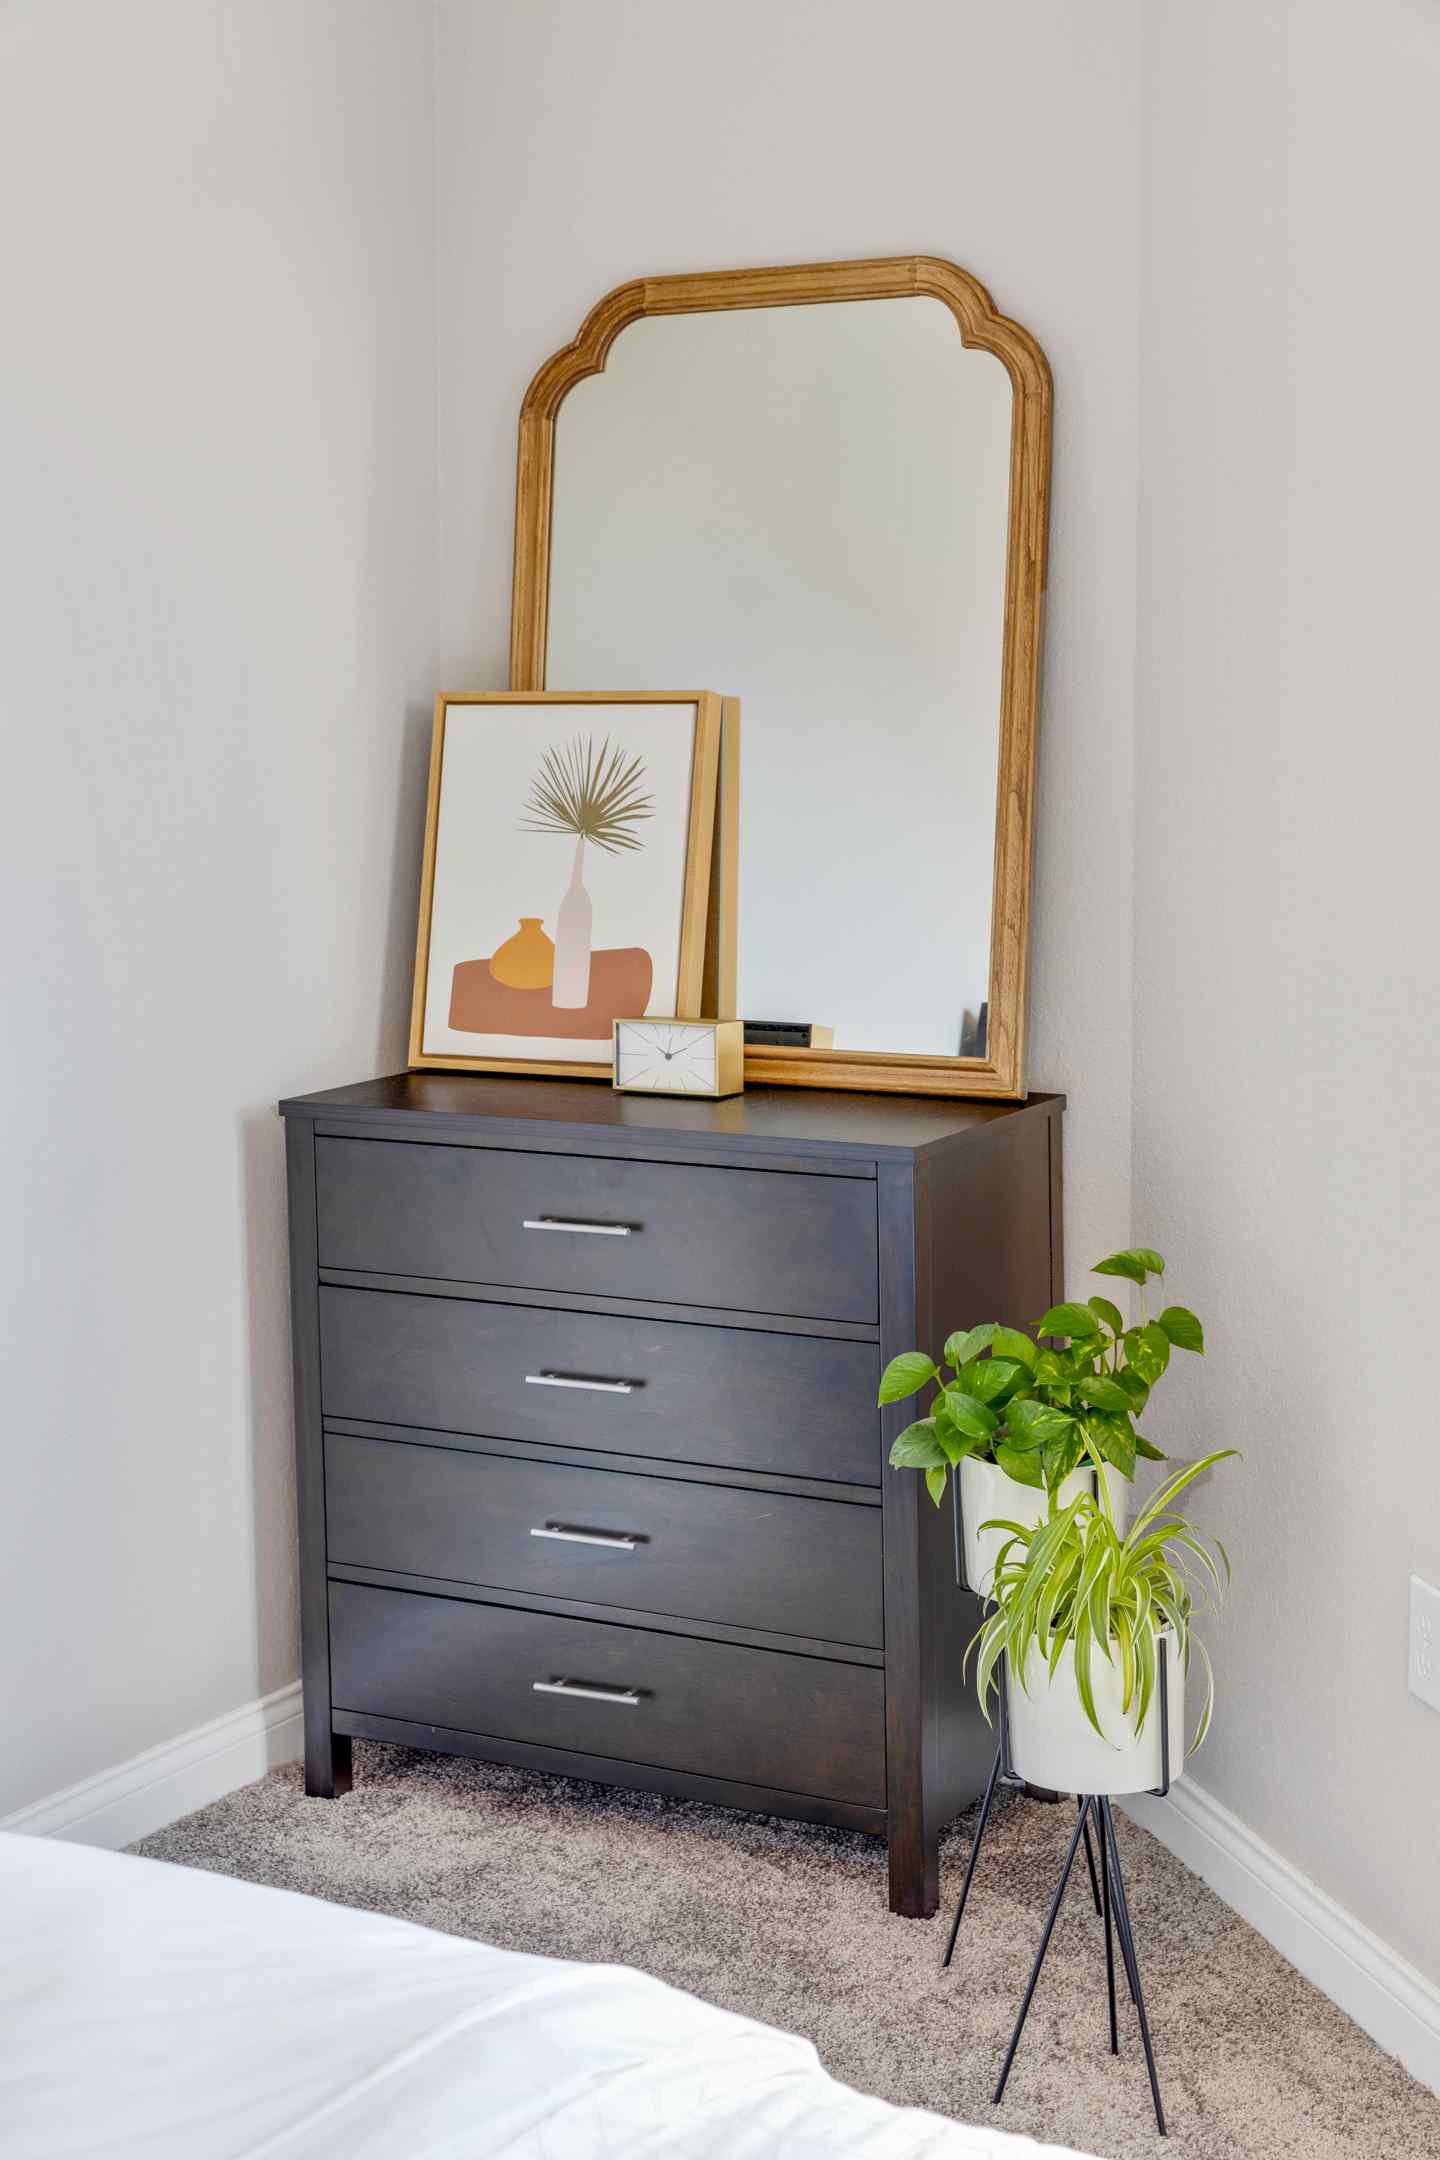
[809, 509]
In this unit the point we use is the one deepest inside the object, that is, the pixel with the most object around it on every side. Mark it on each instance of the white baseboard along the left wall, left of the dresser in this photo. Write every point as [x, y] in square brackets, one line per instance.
[165, 1783]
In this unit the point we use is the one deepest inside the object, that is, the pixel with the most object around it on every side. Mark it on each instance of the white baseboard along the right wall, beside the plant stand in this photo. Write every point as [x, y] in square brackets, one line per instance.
[1370, 1982]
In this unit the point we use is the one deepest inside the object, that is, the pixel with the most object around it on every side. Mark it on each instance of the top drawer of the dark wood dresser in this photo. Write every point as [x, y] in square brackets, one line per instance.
[752, 1241]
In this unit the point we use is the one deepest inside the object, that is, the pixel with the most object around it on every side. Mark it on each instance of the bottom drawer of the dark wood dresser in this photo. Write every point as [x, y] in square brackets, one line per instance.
[804, 1725]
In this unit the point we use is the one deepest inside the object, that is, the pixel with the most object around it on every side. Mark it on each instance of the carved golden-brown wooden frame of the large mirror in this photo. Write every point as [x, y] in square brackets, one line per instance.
[981, 325]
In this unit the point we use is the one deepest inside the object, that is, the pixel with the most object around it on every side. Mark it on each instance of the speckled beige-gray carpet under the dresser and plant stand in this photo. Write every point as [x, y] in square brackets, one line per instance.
[789, 1923]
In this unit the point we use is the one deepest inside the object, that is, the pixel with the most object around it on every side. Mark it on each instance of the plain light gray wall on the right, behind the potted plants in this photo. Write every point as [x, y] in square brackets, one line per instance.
[1288, 988]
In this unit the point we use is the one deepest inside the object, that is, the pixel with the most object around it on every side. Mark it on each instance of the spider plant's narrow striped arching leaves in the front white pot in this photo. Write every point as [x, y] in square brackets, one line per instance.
[1076, 1580]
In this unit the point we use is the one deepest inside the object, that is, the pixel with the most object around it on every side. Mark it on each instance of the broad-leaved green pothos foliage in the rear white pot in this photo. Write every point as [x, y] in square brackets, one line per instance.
[1044, 1405]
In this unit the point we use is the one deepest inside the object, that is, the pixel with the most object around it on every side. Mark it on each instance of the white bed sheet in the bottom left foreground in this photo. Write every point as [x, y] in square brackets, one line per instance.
[180, 2016]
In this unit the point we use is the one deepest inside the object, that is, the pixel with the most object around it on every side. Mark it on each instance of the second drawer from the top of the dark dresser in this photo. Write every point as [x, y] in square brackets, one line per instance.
[679, 1392]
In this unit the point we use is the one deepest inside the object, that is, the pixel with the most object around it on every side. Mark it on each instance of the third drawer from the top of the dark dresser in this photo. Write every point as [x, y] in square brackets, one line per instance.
[701, 1552]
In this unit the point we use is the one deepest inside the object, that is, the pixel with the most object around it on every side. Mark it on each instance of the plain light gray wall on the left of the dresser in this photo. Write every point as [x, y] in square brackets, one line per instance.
[215, 554]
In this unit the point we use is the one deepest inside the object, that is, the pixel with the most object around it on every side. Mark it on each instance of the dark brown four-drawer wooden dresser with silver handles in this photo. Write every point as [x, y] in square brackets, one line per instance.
[590, 1468]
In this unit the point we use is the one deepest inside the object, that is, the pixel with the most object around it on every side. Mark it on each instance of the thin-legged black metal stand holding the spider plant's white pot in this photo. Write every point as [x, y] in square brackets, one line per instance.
[1111, 1902]
